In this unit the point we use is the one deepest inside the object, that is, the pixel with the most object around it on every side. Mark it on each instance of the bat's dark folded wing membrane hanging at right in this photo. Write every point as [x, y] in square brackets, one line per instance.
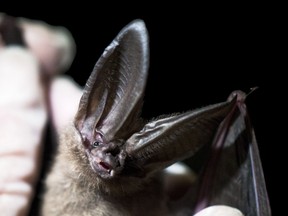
[233, 174]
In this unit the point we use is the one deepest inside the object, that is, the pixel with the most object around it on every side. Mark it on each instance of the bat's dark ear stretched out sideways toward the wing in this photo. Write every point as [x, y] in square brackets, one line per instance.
[167, 140]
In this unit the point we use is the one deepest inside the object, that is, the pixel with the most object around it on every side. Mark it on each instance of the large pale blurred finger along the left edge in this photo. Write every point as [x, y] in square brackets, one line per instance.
[23, 117]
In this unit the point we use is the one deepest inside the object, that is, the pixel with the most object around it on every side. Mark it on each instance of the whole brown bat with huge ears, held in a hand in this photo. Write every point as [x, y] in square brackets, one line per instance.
[110, 161]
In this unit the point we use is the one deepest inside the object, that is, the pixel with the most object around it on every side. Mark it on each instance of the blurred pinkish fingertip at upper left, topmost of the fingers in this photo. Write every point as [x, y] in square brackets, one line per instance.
[54, 46]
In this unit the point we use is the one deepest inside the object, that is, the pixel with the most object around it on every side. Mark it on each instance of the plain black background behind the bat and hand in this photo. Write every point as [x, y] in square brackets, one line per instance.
[198, 56]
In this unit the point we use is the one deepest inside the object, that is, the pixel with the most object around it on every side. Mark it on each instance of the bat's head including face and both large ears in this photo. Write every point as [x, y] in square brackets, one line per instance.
[116, 141]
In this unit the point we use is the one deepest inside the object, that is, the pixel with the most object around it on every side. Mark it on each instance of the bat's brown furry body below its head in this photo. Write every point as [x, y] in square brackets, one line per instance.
[73, 188]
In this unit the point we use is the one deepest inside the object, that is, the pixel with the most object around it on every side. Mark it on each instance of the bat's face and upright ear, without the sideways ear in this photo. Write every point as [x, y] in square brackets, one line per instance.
[109, 108]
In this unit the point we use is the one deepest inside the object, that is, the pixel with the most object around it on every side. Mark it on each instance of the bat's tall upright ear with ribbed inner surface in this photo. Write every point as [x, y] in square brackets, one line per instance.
[113, 94]
